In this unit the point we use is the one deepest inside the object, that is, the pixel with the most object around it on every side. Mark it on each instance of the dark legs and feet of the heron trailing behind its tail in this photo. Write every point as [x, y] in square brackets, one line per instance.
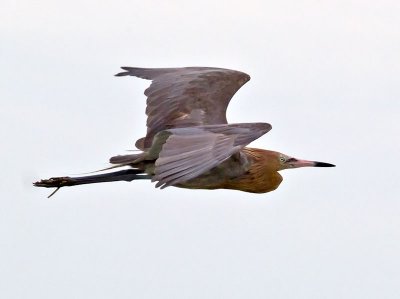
[123, 175]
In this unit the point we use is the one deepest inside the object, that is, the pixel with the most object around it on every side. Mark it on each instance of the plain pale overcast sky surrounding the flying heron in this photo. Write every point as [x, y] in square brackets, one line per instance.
[325, 74]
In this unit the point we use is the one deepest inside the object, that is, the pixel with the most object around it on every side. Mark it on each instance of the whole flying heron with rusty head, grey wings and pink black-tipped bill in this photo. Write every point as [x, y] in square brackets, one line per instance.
[189, 143]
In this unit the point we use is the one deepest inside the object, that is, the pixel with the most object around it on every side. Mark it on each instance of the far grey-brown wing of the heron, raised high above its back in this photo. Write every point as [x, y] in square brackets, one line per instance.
[185, 97]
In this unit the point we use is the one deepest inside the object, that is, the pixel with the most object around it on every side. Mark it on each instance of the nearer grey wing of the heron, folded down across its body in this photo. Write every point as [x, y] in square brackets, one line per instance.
[186, 153]
